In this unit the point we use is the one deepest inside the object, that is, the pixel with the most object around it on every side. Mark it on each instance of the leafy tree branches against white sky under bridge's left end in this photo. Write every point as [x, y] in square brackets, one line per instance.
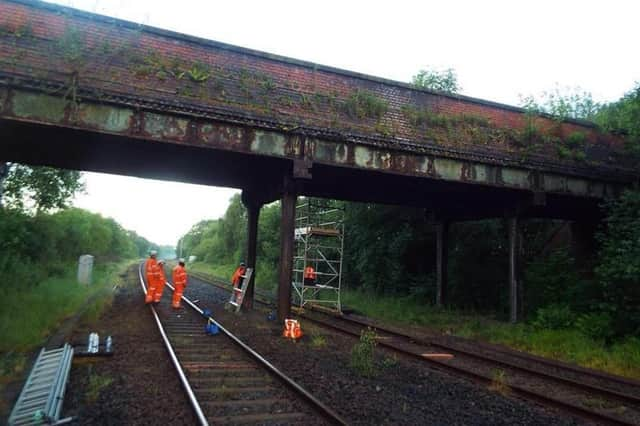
[39, 188]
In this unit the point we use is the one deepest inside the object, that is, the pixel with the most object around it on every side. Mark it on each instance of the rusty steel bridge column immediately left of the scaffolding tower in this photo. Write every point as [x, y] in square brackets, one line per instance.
[287, 228]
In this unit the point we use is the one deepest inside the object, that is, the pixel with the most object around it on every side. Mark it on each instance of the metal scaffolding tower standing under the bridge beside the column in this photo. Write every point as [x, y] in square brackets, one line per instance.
[319, 238]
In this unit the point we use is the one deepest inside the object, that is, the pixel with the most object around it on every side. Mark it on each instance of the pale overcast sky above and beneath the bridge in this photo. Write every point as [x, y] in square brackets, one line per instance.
[499, 49]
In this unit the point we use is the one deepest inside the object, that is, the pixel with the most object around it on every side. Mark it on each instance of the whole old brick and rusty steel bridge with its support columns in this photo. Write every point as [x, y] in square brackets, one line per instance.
[88, 92]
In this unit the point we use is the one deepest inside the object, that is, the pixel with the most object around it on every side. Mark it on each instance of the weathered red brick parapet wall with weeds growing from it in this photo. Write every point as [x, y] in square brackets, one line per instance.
[54, 44]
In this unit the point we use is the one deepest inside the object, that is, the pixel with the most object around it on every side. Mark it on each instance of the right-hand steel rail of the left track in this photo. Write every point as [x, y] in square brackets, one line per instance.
[328, 412]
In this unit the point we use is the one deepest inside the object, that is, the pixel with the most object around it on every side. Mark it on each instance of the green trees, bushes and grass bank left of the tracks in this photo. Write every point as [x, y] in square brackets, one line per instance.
[38, 260]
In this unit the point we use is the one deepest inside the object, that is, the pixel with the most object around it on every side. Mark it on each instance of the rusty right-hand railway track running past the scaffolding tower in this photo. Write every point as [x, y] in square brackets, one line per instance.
[591, 395]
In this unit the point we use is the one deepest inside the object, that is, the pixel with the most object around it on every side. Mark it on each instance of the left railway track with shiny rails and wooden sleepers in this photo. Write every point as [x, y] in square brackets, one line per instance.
[225, 380]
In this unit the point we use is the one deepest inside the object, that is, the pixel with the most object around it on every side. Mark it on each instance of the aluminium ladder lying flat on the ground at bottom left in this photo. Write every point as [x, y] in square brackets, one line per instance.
[40, 401]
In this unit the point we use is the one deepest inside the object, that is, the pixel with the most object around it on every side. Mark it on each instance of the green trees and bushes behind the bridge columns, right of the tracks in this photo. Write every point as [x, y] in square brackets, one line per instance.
[389, 269]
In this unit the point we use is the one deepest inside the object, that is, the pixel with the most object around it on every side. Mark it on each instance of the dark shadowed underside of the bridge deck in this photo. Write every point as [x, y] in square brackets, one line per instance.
[92, 151]
